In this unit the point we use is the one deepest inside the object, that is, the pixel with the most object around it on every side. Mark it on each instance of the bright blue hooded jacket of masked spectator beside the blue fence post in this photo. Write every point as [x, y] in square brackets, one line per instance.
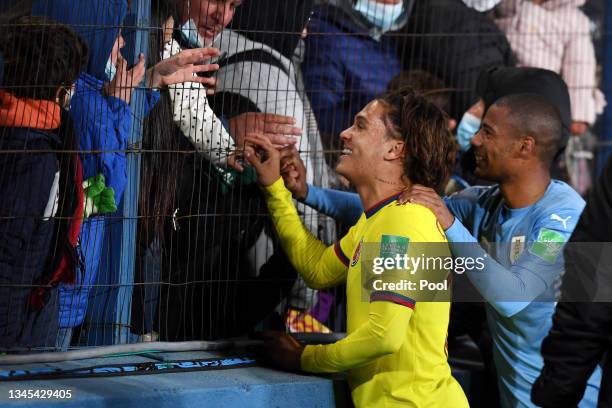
[102, 123]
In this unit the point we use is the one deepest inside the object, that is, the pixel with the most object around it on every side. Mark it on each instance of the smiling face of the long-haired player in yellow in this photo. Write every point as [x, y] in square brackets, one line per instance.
[364, 144]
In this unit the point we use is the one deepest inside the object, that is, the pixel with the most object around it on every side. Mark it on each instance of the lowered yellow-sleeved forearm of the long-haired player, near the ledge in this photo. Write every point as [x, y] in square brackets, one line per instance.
[383, 334]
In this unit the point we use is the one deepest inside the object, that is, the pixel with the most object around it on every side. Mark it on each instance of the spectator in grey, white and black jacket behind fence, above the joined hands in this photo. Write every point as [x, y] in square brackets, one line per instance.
[260, 72]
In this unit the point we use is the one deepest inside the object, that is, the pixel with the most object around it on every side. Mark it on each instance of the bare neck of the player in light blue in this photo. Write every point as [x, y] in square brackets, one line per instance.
[525, 189]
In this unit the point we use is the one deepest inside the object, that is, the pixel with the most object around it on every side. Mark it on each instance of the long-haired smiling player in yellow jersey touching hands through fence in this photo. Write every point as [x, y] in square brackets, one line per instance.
[396, 140]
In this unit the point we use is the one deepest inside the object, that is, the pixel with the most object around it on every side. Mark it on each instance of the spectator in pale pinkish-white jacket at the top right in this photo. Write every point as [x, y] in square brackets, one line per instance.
[555, 35]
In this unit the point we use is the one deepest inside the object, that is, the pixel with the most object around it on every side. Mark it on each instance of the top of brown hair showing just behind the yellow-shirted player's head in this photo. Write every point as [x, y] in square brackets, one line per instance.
[423, 83]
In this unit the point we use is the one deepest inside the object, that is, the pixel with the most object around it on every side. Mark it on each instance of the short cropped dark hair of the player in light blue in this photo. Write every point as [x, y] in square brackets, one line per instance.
[532, 114]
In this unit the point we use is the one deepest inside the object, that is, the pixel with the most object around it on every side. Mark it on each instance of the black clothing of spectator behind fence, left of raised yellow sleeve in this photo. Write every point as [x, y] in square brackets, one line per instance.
[207, 291]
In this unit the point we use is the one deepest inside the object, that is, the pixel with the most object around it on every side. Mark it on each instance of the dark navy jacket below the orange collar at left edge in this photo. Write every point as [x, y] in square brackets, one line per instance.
[29, 183]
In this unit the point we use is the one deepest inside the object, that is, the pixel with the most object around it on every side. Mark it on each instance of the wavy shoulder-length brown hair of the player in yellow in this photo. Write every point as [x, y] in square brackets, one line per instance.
[430, 149]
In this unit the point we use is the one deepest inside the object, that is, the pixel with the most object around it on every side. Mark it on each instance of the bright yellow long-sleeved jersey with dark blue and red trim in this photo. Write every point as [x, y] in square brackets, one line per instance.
[395, 348]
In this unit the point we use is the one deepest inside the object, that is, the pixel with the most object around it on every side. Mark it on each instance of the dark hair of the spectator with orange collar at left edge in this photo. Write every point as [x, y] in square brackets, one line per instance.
[40, 56]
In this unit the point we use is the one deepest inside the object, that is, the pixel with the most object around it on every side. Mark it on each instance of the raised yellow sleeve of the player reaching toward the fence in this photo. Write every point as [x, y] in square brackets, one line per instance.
[320, 266]
